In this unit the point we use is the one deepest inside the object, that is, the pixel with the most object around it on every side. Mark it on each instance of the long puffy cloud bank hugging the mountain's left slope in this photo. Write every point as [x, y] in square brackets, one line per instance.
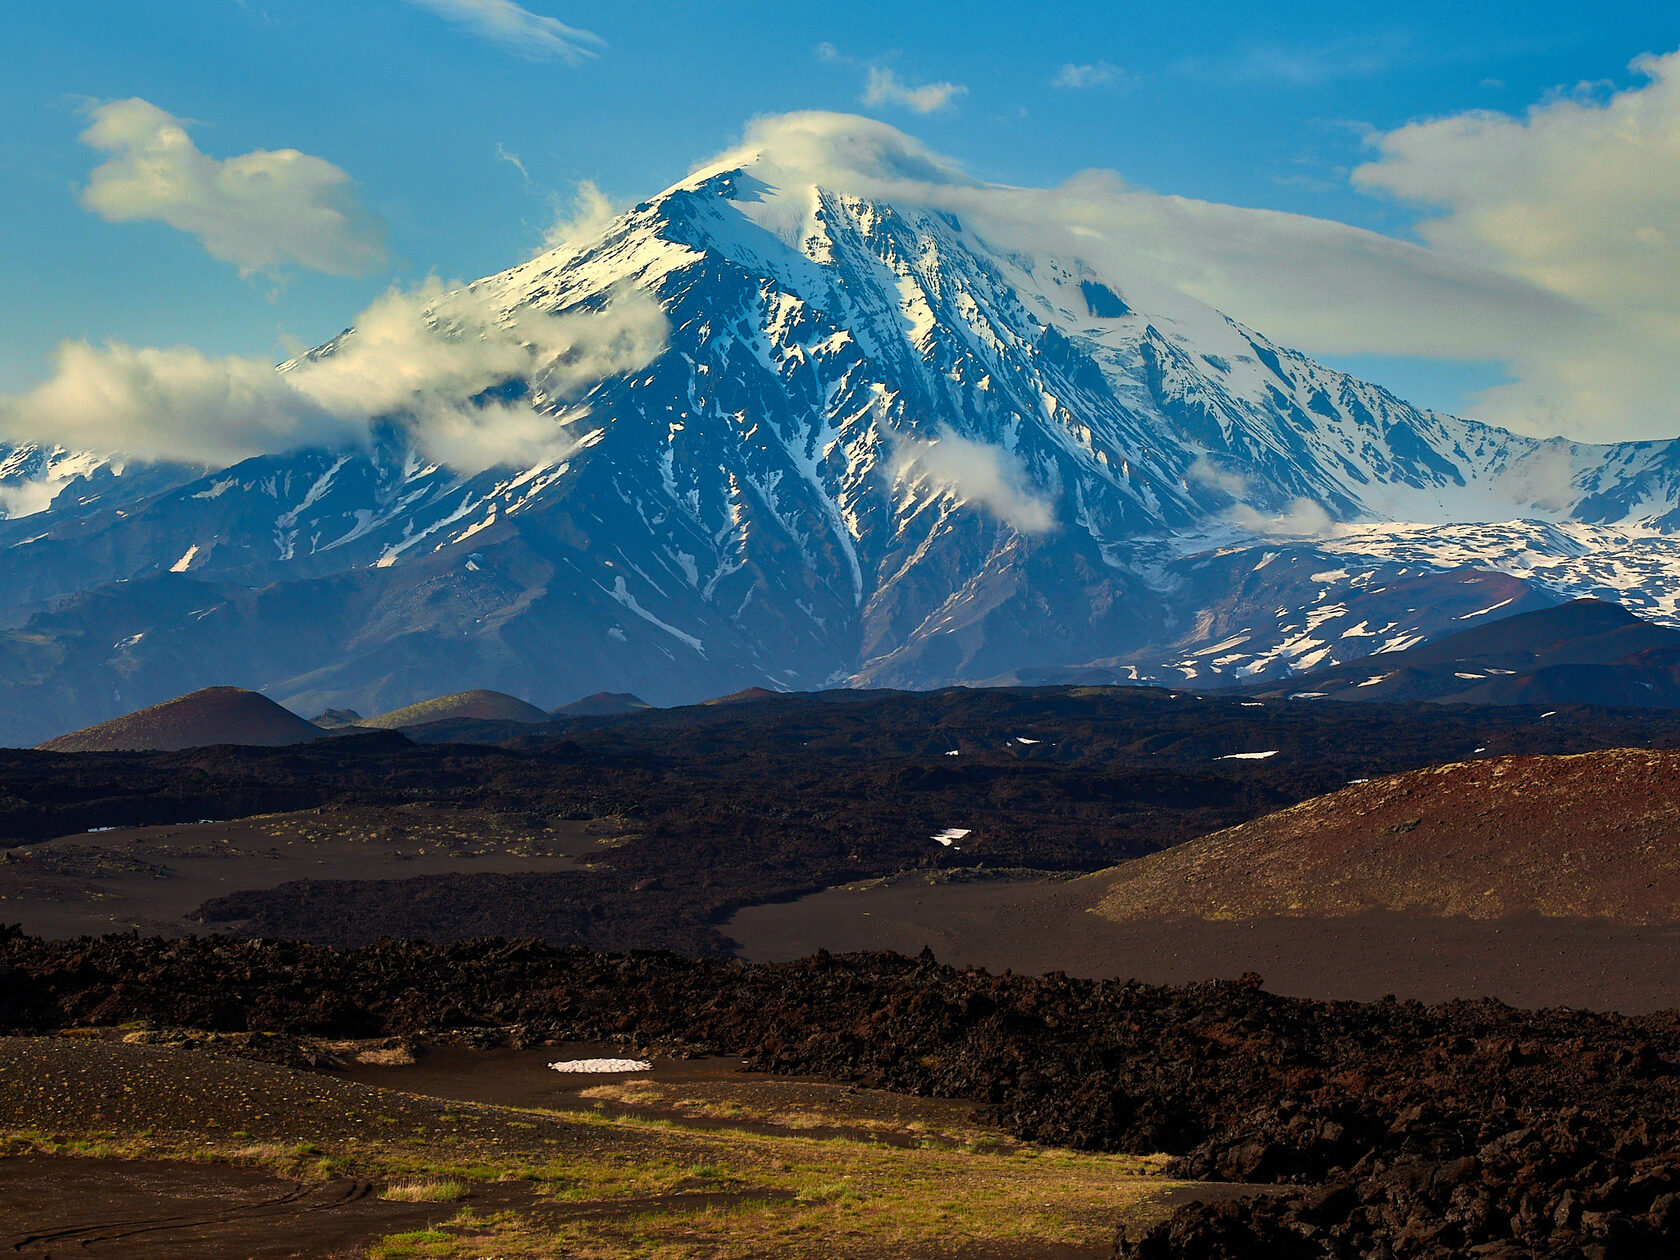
[431, 360]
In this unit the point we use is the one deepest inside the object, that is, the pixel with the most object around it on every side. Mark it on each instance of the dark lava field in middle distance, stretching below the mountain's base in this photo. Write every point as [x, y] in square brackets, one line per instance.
[769, 799]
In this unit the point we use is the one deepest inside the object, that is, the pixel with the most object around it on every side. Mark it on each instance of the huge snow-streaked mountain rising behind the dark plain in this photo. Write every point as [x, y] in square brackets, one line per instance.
[876, 446]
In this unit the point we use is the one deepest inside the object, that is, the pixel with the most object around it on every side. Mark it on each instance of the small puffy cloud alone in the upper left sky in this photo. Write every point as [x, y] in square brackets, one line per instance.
[260, 211]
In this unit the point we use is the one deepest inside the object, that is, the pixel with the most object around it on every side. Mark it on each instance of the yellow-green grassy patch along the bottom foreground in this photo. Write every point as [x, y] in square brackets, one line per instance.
[604, 1189]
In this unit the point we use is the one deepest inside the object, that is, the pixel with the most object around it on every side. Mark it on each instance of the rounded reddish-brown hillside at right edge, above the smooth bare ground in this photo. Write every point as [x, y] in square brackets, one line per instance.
[1593, 836]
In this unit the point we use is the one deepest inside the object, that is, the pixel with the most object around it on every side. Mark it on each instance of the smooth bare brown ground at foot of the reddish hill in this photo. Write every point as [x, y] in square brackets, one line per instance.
[1037, 927]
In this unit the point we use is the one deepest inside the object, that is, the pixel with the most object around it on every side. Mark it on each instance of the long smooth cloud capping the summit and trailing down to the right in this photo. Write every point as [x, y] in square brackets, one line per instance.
[1316, 285]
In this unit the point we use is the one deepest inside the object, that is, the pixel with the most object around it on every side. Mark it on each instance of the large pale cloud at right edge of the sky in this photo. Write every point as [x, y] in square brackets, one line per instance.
[1577, 199]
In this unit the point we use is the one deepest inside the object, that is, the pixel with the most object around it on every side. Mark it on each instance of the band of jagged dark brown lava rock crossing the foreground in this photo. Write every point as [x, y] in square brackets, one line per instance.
[1395, 1130]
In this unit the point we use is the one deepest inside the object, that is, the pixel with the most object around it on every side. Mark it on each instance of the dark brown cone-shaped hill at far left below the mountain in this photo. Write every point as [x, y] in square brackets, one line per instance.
[211, 717]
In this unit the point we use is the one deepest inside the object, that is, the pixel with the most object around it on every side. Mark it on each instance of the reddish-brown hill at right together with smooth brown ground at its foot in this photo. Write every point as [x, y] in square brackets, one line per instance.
[1538, 881]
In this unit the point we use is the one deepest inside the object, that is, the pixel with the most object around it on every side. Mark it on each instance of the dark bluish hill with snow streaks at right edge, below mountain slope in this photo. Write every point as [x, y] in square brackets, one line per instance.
[1580, 653]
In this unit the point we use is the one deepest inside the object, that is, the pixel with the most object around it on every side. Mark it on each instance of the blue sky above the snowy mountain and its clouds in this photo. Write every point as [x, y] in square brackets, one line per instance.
[463, 130]
